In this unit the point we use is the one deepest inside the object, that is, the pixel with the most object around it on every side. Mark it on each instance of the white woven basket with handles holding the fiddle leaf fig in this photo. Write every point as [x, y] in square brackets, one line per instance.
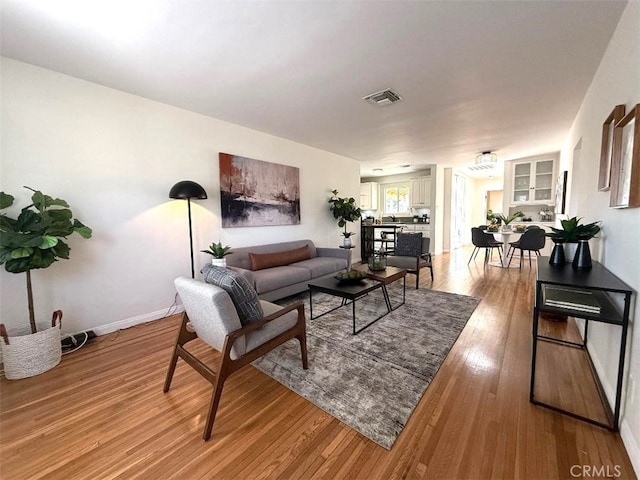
[27, 354]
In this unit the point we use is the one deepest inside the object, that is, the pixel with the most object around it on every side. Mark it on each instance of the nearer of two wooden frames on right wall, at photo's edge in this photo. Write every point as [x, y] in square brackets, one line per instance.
[625, 164]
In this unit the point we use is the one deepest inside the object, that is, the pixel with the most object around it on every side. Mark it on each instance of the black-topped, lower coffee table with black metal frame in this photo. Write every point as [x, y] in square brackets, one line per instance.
[349, 293]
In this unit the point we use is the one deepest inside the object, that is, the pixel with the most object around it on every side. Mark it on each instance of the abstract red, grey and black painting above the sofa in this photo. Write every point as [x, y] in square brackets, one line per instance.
[254, 193]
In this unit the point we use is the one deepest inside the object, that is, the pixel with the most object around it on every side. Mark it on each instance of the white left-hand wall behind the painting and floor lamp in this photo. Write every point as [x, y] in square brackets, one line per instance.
[114, 157]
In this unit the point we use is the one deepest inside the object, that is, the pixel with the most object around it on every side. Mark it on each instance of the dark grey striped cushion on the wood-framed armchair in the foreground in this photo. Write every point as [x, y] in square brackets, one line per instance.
[242, 294]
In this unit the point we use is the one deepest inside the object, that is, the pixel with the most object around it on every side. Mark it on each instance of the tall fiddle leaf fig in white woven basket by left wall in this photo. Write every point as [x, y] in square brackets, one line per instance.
[33, 240]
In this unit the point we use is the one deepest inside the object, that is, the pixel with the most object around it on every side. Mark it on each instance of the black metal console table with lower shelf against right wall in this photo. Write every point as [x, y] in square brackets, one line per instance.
[595, 295]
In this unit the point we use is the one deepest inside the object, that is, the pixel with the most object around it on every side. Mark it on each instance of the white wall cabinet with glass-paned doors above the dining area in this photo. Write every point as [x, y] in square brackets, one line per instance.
[532, 181]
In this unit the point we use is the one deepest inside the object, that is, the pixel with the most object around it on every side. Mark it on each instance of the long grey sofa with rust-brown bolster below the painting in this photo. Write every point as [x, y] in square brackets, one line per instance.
[285, 278]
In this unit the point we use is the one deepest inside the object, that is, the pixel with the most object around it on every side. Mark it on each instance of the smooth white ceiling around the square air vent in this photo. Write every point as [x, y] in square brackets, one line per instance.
[505, 76]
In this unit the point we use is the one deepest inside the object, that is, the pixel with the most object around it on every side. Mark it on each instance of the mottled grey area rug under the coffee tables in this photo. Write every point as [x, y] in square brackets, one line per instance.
[371, 381]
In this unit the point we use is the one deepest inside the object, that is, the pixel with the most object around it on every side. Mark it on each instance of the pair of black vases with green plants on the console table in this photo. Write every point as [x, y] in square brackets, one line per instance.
[573, 231]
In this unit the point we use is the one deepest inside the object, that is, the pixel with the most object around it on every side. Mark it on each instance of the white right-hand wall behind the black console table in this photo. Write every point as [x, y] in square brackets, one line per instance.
[617, 81]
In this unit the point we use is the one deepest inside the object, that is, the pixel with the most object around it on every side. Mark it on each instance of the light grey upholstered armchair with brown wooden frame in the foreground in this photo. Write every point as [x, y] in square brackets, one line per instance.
[237, 324]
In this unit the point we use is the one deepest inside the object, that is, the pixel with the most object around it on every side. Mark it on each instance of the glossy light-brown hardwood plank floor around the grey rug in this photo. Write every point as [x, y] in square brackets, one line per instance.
[101, 413]
